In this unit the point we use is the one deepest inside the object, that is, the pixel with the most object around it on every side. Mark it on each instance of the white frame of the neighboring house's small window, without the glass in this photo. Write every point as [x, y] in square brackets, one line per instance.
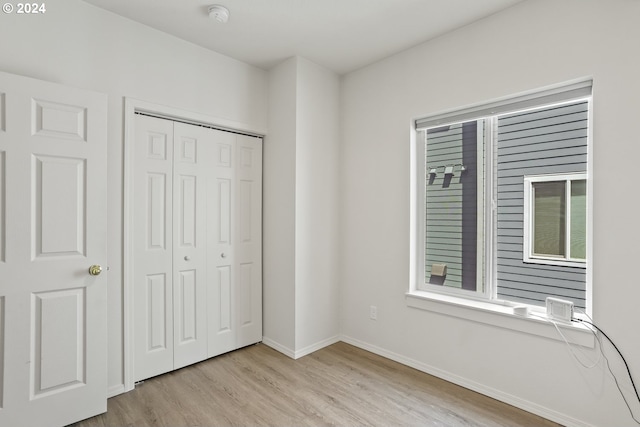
[528, 256]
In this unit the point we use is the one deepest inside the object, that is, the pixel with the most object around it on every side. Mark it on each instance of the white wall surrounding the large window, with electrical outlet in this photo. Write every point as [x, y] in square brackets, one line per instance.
[531, 45]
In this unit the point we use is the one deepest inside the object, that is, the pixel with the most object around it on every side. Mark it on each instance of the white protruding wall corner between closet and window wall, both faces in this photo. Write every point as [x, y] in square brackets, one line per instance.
[301, 210]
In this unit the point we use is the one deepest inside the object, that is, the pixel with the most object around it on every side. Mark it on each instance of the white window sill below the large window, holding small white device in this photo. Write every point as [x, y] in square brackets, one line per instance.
[500, 316]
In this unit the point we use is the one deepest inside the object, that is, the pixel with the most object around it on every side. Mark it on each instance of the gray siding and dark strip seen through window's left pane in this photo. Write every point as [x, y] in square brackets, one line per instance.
[451, 205]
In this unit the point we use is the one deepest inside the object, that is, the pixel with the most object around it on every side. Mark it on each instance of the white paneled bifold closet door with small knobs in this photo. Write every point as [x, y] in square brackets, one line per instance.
[196, 244]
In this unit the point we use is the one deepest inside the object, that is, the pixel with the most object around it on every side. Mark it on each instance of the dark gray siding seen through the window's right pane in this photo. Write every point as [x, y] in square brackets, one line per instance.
[549, 141]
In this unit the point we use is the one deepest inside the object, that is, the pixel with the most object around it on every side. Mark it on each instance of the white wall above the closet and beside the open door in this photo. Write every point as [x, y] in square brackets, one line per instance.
[82, 46]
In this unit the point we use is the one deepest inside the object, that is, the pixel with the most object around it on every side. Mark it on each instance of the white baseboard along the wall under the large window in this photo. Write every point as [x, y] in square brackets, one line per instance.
[471, 385]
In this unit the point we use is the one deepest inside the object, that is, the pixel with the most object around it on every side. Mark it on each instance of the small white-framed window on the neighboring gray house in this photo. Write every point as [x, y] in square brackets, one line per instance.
[555, 219]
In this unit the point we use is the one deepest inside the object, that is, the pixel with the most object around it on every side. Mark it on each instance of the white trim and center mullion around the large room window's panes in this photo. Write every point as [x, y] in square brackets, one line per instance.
[552, 95]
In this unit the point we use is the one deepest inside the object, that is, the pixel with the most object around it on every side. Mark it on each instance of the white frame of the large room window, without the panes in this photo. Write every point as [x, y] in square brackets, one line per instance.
[419, 289]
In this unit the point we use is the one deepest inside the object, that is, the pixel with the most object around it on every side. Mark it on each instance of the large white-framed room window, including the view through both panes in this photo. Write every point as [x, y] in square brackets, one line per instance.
[502, 199]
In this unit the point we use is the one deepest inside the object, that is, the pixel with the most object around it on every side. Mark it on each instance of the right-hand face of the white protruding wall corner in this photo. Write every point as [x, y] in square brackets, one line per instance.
[317, 207]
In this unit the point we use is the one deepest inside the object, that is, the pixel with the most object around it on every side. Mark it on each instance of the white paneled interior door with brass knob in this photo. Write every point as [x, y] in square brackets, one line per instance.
[52, 229]
